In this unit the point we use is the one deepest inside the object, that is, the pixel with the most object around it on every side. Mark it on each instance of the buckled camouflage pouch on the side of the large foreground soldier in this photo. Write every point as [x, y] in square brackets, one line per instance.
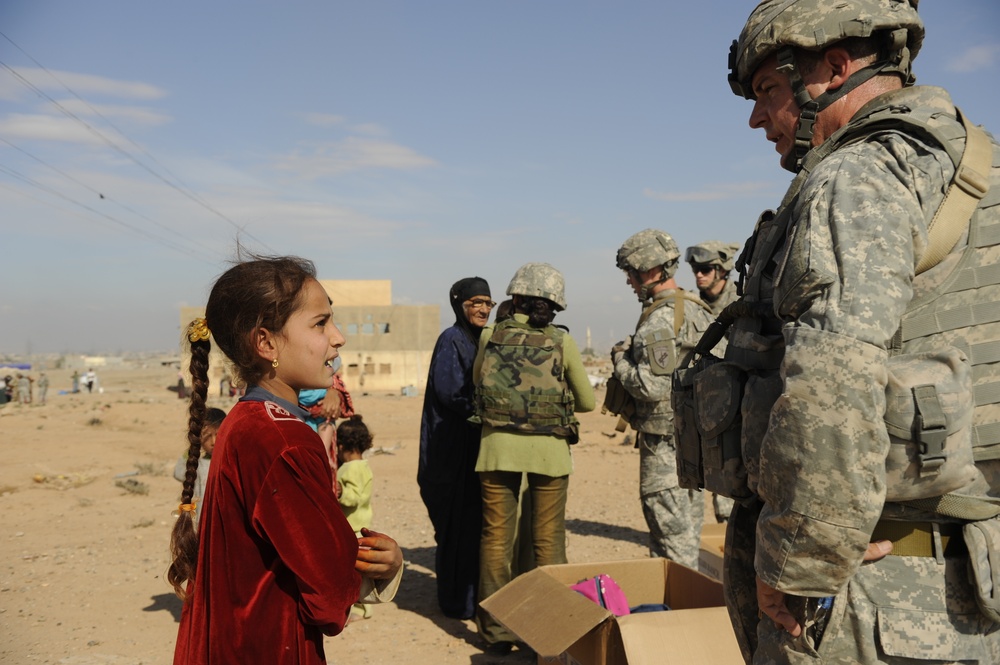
[928, 414]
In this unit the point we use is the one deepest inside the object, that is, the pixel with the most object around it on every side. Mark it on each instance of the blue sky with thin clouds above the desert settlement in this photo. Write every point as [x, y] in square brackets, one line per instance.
[414, 141]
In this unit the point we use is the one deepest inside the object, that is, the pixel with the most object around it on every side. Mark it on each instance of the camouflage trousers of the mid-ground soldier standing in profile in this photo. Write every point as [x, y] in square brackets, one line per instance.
[674, 515]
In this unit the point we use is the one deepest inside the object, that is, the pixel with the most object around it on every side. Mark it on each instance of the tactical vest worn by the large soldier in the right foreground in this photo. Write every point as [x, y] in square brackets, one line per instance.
[960, 310]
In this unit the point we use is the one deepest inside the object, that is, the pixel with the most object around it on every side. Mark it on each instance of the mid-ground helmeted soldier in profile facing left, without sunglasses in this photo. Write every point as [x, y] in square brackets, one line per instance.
[671, 323]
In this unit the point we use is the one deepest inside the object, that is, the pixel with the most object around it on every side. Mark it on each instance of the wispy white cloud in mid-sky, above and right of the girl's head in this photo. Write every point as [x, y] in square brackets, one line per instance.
[352, 154]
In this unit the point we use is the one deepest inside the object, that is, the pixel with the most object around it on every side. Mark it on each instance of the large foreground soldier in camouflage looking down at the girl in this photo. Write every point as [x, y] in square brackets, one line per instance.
[823, 565]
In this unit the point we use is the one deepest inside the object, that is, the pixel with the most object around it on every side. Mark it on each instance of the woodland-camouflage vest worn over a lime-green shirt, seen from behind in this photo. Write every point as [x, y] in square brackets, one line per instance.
[523, 387]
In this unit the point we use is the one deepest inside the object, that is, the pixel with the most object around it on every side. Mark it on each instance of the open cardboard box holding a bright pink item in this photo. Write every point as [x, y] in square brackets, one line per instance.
[559, 623]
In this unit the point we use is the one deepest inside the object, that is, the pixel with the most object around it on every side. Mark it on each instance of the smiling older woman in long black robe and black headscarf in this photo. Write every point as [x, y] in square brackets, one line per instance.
[449, 446]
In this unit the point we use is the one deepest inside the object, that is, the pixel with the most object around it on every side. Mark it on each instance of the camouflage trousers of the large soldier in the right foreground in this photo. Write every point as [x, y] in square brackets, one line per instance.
[900, 609]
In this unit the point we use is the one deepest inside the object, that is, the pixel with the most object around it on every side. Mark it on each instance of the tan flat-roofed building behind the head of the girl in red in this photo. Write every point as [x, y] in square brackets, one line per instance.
[388, 346]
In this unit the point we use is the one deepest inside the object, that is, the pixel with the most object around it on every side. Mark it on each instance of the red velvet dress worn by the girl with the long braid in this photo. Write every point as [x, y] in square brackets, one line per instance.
[276, 555]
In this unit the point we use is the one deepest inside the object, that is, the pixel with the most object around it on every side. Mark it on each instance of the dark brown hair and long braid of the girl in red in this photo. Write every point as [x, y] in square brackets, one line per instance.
[259, 293]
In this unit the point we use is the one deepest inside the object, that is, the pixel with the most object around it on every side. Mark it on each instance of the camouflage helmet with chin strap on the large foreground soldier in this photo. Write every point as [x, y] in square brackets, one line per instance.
[780, 26]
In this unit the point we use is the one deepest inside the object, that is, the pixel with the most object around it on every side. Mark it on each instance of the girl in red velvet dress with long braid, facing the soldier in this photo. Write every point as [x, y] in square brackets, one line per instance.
[274, 565]
